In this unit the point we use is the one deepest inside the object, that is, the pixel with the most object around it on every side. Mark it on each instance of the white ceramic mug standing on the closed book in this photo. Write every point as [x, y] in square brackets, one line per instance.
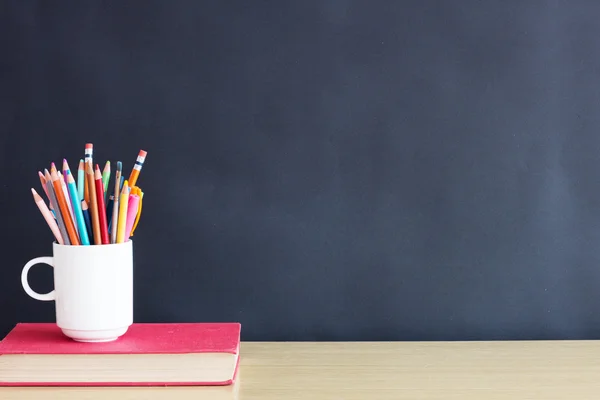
[93, 289]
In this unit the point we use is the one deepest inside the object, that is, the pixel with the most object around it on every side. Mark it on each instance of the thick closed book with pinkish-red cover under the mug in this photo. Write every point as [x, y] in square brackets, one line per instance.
[192, 354]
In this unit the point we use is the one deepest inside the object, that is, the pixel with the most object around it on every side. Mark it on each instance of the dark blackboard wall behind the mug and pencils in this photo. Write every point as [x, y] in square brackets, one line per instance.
[322, 170]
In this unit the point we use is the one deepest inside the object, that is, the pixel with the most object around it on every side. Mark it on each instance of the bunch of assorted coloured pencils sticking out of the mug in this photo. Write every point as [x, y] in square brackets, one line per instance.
[80, 211]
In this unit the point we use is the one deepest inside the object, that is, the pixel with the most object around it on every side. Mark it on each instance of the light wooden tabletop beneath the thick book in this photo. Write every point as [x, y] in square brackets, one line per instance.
[316, 371]
